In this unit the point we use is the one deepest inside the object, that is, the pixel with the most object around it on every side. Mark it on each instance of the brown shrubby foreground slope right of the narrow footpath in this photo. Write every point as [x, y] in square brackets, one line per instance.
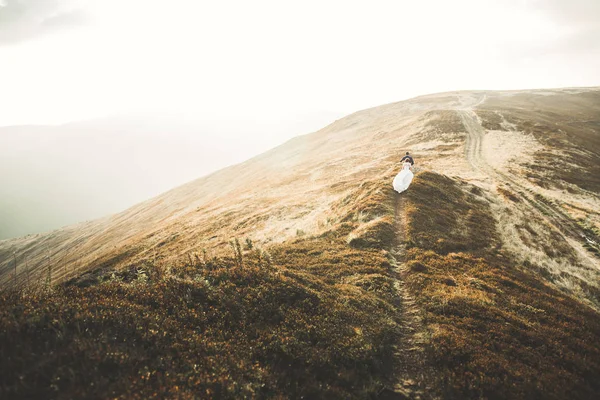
[497, 331]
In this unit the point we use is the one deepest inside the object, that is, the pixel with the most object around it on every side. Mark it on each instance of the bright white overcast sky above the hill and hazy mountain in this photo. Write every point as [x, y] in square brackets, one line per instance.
[65, 60]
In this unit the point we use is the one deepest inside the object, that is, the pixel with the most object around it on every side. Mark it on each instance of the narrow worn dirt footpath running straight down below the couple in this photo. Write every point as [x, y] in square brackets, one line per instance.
[415, 378]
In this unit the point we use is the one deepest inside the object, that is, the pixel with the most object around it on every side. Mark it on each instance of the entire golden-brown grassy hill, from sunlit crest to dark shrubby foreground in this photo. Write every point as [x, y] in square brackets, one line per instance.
[482, 280]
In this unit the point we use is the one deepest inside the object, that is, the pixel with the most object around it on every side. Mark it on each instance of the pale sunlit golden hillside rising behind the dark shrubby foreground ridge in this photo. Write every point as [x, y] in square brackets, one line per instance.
[293, 187]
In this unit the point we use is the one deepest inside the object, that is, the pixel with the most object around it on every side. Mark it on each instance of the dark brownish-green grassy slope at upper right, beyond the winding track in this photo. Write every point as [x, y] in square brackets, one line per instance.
[572, 138]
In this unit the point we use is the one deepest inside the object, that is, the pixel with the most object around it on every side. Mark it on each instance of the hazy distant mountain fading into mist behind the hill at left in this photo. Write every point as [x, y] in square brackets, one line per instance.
[52, 176]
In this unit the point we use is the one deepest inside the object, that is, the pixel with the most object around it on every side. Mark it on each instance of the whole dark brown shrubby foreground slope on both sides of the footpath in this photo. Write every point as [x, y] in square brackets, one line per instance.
[320, 321]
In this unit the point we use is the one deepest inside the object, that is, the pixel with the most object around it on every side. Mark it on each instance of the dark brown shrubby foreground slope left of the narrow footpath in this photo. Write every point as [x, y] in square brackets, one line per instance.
[316, 321]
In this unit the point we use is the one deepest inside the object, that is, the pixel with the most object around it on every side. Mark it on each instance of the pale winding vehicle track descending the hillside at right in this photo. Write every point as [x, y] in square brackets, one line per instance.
[549, 211]
